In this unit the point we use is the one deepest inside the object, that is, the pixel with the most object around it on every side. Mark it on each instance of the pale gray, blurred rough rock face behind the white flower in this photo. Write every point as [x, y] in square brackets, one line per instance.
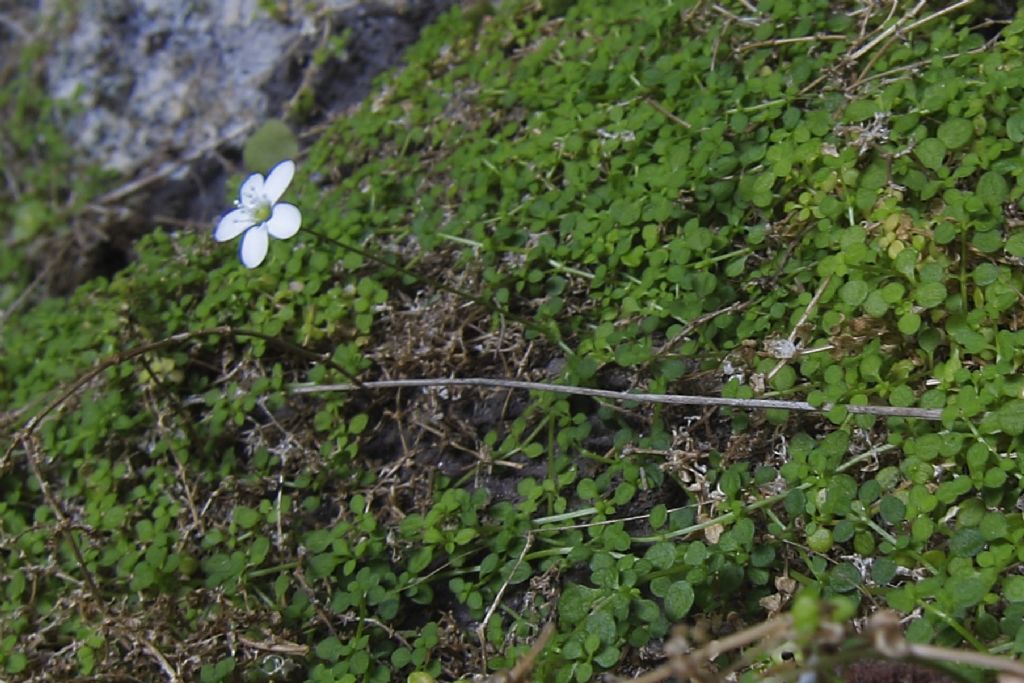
[159, 78]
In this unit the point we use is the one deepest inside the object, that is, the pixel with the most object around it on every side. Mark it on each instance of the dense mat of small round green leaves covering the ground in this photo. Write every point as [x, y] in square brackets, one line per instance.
[807, 200]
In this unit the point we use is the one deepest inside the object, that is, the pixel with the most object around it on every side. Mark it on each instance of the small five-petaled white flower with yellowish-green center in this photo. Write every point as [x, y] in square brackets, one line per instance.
[260, 217]
